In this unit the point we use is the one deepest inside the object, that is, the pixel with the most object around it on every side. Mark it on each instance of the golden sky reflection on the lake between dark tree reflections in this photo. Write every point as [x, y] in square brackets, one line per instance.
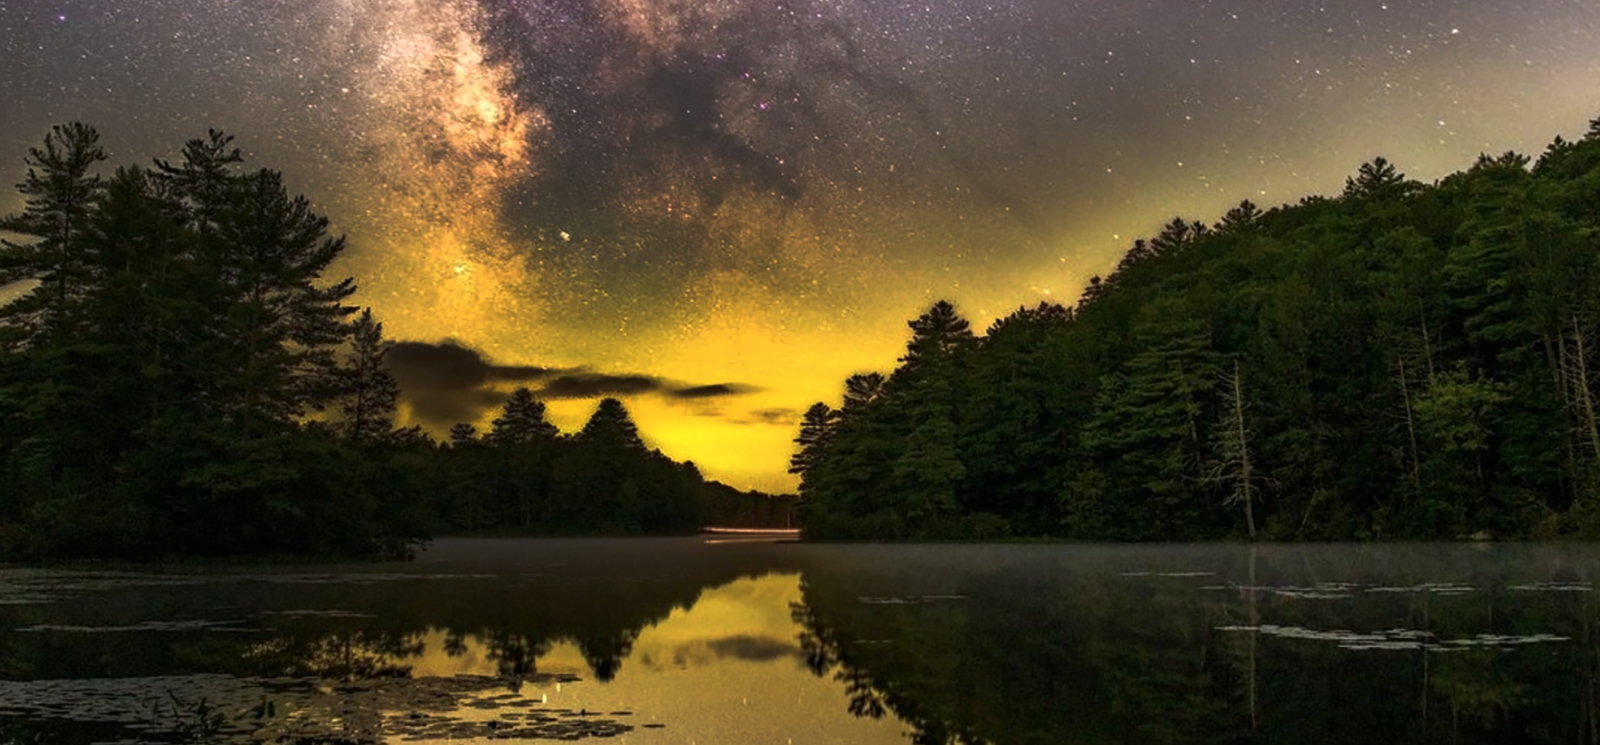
[724, 672]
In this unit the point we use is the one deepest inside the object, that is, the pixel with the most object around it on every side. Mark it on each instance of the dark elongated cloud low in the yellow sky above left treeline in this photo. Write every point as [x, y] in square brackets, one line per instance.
[449, 383]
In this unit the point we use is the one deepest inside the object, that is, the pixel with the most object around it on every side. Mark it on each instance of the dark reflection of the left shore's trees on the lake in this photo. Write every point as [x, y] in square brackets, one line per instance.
[519, 599]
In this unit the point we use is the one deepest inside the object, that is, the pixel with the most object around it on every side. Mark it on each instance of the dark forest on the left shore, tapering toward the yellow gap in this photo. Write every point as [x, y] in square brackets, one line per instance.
[183, 380]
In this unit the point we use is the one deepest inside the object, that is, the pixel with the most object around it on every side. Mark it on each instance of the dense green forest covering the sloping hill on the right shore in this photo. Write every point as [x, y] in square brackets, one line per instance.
[1399, 362]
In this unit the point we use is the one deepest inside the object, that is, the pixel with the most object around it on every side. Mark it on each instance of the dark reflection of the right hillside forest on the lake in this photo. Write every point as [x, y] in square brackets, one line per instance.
[1058, 647]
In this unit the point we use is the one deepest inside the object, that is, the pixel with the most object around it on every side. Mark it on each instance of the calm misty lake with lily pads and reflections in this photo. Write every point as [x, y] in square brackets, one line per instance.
[684, 642]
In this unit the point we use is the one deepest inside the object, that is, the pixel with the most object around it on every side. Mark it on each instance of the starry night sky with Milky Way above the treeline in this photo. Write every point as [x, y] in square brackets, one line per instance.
[718, 210]
